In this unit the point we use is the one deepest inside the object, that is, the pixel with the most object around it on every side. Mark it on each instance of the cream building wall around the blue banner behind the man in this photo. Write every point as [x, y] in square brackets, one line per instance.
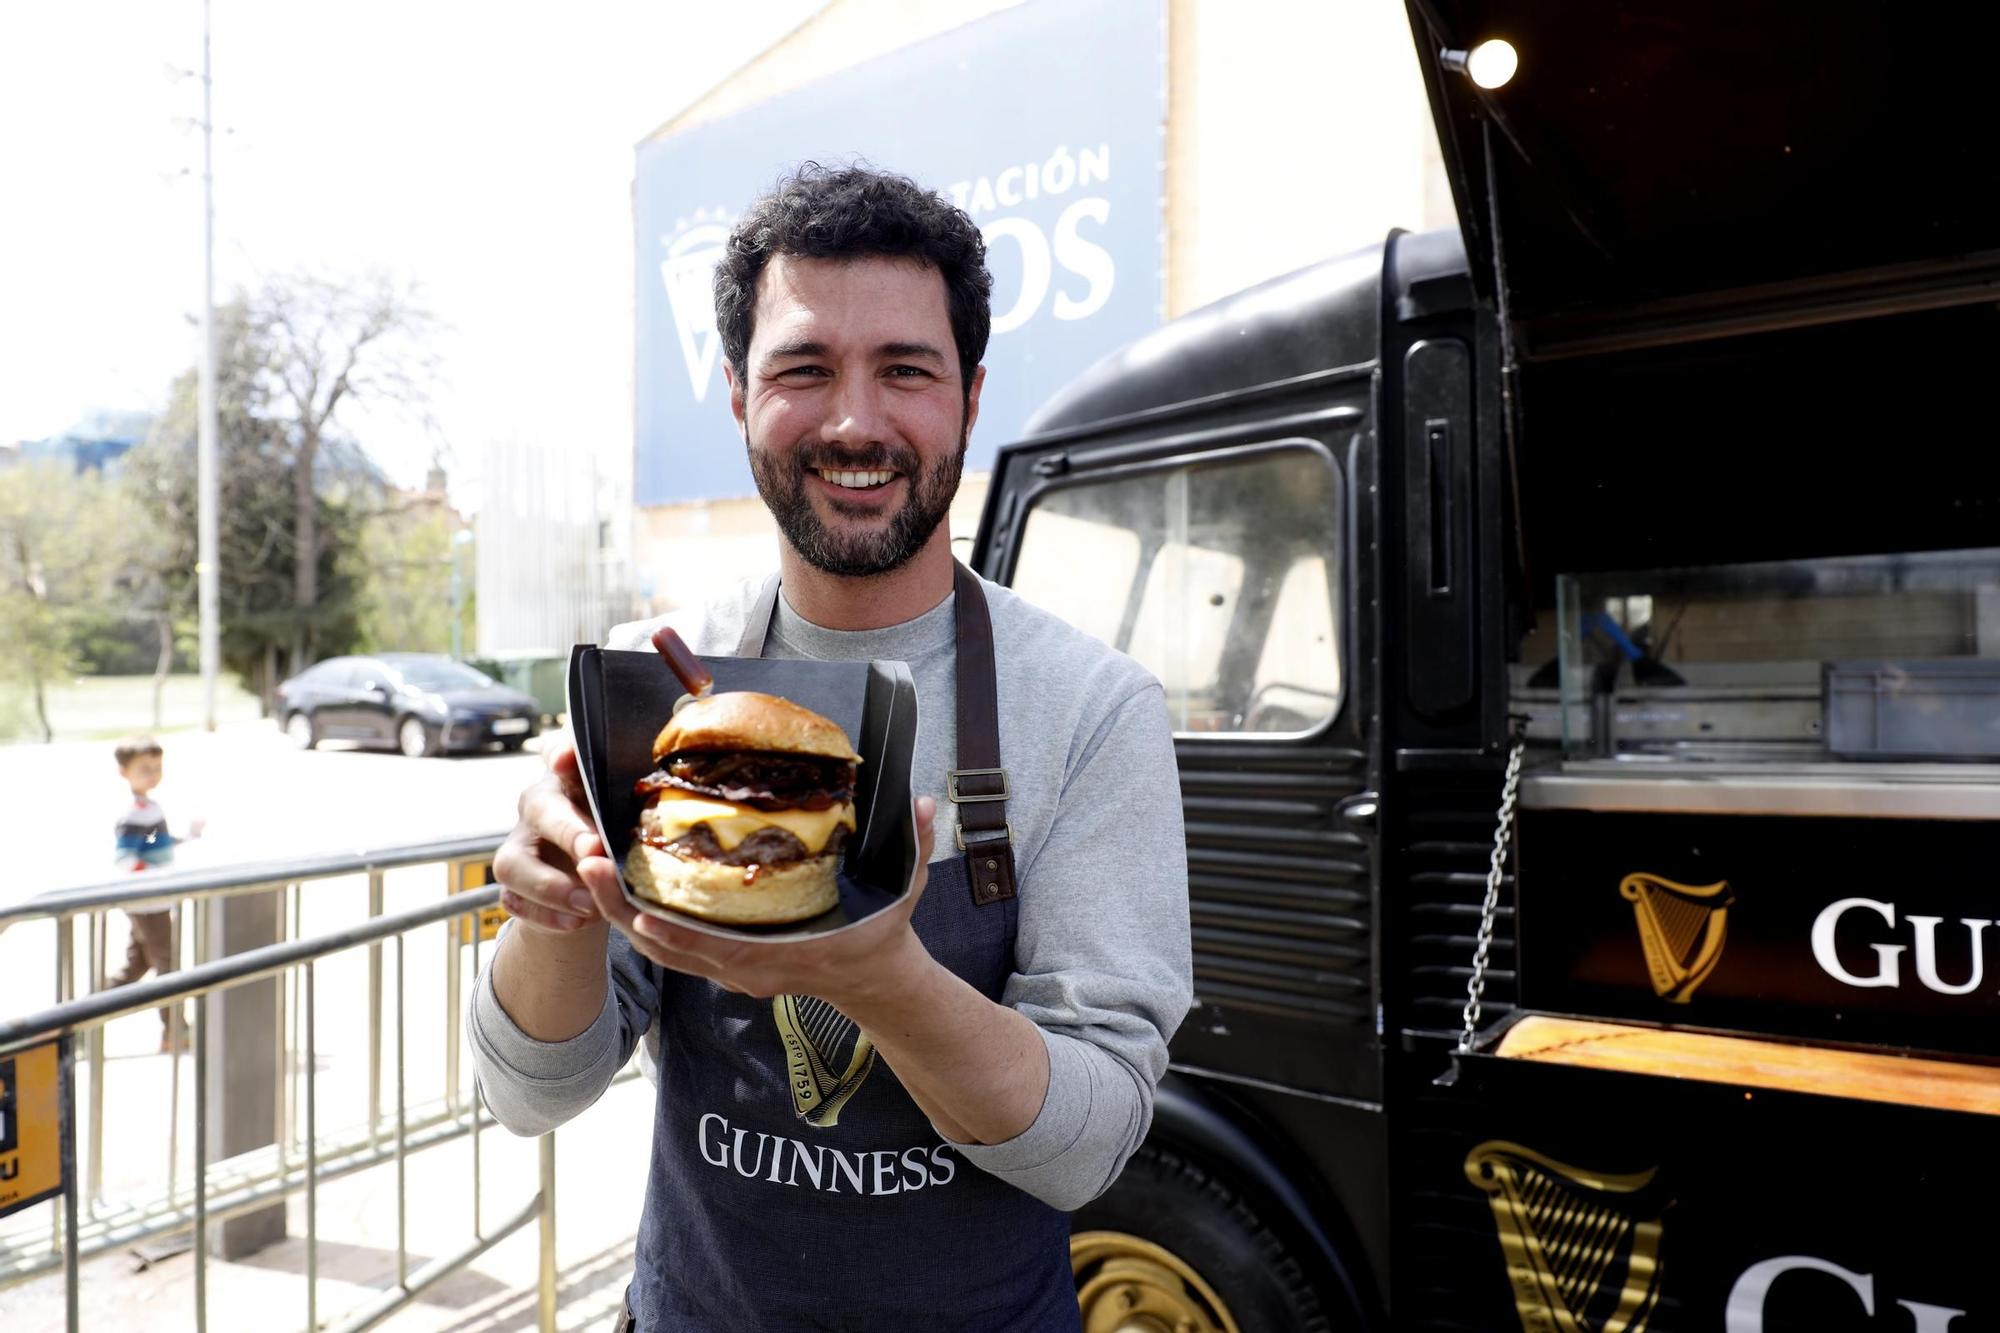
[1297, 131]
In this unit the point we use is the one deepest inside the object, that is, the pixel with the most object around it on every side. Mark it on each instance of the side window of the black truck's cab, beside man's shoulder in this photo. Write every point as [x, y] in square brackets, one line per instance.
[1221, 577]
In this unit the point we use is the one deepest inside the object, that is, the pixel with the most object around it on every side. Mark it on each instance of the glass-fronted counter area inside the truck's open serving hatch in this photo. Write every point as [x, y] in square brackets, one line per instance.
[1793, 661]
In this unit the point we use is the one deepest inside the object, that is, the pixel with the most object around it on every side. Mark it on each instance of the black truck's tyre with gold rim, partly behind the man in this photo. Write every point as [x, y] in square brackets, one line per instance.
[1173, 1246]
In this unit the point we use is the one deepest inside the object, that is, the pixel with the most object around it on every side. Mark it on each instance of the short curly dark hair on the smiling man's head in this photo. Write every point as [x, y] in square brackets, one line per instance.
[857, 213]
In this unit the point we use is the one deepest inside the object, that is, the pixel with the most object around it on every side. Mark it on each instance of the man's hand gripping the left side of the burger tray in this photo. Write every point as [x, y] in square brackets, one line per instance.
[555, 854]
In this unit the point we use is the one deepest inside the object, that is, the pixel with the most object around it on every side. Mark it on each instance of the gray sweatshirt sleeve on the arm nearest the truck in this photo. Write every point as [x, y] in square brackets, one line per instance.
[1103, 960]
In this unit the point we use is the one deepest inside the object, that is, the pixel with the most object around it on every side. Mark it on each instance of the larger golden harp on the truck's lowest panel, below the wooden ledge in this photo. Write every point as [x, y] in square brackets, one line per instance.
[1579, 1256]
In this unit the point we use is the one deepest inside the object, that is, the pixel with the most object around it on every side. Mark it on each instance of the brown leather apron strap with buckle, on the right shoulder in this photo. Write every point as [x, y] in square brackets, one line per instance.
[979, 784]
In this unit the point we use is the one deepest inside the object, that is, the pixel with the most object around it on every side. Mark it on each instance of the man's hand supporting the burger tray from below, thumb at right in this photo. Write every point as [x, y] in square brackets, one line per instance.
[843, 970]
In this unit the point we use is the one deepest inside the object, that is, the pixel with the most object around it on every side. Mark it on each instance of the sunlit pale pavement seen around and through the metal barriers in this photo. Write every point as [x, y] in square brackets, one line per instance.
[263, 800]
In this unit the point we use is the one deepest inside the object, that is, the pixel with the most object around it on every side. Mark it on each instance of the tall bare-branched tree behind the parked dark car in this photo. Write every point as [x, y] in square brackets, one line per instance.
[333, 345]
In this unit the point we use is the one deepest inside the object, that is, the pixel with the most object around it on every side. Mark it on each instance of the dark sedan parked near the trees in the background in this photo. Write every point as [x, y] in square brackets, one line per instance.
[419, 704]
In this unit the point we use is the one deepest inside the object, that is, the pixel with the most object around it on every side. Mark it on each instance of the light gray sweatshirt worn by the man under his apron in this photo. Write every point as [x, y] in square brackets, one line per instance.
[1103, 958]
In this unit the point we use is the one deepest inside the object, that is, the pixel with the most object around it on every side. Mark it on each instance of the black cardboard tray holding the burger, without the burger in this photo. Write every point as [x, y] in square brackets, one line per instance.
[619, 702]
